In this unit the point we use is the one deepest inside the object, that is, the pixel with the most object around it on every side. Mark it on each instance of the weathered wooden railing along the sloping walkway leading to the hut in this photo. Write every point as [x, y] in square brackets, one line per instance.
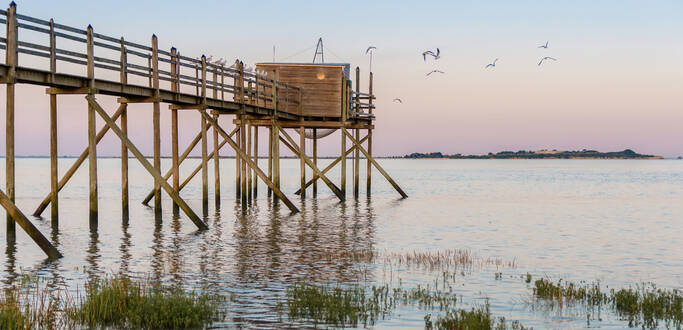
[159, 69]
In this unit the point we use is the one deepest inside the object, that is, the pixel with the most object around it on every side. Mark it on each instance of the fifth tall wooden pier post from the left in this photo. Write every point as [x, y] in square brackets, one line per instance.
[156, 122]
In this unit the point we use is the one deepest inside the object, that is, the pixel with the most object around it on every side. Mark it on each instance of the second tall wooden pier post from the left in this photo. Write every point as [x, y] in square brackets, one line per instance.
[54, 170]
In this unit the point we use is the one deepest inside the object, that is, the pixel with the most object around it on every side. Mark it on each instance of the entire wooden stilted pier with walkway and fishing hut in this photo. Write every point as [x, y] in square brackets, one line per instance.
[285, 97]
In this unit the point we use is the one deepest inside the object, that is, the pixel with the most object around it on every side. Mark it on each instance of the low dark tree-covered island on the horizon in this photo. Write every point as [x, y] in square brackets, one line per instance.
[541, 154]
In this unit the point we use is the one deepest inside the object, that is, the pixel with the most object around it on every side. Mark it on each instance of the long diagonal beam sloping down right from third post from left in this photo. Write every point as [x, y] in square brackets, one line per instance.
[145, 163]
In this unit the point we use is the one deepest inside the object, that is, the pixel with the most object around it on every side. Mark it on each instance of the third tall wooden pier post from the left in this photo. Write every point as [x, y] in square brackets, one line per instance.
[92, 143]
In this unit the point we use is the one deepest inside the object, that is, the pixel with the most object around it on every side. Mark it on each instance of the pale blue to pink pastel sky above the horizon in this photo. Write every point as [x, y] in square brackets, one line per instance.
[618, 81]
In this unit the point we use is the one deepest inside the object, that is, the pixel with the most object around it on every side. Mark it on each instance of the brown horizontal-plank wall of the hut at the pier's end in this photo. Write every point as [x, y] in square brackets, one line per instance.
[320, 97]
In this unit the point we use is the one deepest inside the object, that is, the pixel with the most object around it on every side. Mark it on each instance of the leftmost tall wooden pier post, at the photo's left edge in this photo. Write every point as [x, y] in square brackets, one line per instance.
[11, 56]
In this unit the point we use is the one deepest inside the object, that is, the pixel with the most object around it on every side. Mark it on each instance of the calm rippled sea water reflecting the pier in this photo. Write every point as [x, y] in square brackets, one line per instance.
[616, 221]
